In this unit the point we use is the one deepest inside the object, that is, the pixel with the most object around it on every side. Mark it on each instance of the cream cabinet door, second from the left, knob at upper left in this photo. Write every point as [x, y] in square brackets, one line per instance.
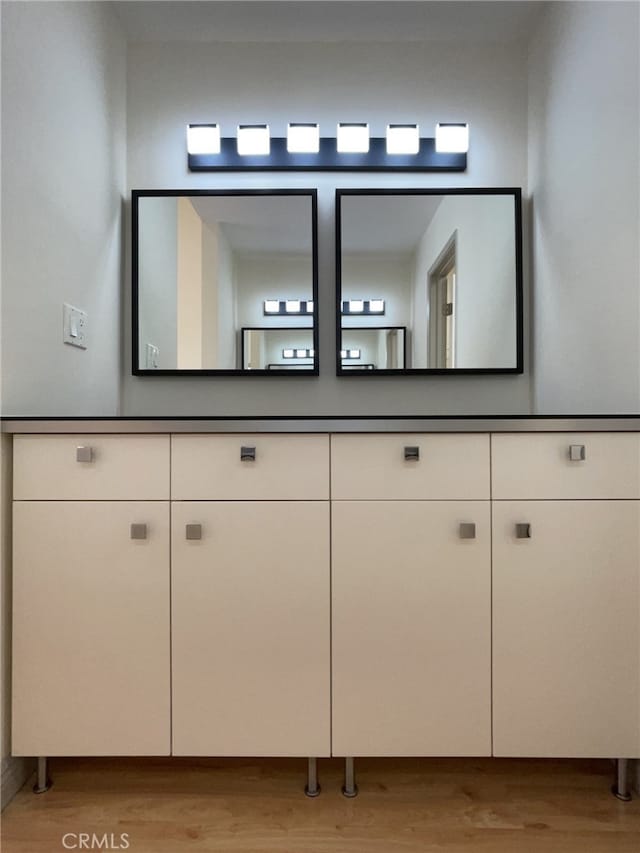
[250, 619]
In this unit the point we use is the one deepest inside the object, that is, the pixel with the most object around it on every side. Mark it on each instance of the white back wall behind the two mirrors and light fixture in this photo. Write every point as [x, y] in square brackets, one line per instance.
[170, 85]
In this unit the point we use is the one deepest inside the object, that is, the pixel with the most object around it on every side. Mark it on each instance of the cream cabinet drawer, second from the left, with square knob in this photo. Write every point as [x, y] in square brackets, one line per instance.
[250, 467]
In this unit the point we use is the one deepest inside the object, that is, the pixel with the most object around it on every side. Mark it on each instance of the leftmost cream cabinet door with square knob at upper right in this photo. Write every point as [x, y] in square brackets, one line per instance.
[90, 628]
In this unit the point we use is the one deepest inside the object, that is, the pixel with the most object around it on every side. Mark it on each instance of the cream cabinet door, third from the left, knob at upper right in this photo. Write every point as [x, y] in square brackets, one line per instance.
[411, 628]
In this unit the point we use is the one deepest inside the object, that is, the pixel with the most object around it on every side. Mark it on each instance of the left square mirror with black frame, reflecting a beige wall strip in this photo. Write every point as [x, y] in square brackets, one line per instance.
[224, 281]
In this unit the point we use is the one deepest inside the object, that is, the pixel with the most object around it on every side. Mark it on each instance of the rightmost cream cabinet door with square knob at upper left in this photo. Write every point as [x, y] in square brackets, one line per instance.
[566, 639]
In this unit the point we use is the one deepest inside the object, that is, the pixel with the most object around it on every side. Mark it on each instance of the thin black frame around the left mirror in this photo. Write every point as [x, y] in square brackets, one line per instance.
[136, 195]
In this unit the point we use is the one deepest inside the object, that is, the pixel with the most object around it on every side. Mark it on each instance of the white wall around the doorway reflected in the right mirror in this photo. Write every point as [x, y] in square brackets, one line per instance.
[485, 297]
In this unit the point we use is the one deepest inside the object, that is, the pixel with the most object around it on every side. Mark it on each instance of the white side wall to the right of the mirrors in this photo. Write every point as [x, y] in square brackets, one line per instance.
[585, 185]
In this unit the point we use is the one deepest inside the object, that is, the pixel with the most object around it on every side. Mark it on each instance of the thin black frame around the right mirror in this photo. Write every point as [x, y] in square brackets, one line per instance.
[516, 193]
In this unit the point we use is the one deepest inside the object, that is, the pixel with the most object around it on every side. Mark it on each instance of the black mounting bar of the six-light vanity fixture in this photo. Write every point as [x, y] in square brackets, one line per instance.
[328, 159]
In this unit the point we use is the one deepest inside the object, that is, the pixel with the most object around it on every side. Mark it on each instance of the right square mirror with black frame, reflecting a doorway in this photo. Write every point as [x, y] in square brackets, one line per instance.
[430, 279]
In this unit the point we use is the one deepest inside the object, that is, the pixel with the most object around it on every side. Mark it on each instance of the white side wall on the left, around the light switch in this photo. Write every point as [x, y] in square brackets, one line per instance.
[63, 182]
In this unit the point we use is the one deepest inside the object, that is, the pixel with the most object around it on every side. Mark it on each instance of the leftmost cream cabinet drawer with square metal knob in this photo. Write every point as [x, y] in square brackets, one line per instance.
[117, 467]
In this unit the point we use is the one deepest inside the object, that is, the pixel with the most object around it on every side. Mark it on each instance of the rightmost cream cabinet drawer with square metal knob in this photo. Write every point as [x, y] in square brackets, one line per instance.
[540, 466]
